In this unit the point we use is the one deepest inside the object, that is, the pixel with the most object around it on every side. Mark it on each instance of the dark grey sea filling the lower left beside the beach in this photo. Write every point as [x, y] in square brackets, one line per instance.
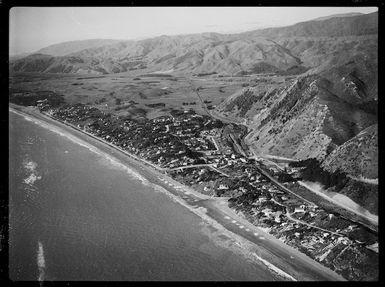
[75, 215]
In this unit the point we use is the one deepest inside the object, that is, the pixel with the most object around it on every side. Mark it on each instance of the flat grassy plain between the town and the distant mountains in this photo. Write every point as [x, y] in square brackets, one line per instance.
[132, 93]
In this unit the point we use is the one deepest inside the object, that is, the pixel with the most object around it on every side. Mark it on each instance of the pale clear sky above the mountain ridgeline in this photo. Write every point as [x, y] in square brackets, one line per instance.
[33, 28]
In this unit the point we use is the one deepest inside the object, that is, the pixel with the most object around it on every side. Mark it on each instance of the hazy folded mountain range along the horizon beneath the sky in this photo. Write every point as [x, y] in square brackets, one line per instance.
[303, 46]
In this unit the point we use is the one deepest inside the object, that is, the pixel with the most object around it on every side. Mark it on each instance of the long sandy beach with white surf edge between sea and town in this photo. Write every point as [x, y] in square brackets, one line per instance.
[287, 262]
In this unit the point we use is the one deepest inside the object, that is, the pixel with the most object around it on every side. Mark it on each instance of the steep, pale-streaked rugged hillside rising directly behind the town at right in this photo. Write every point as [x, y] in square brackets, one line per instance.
[301, 119]
